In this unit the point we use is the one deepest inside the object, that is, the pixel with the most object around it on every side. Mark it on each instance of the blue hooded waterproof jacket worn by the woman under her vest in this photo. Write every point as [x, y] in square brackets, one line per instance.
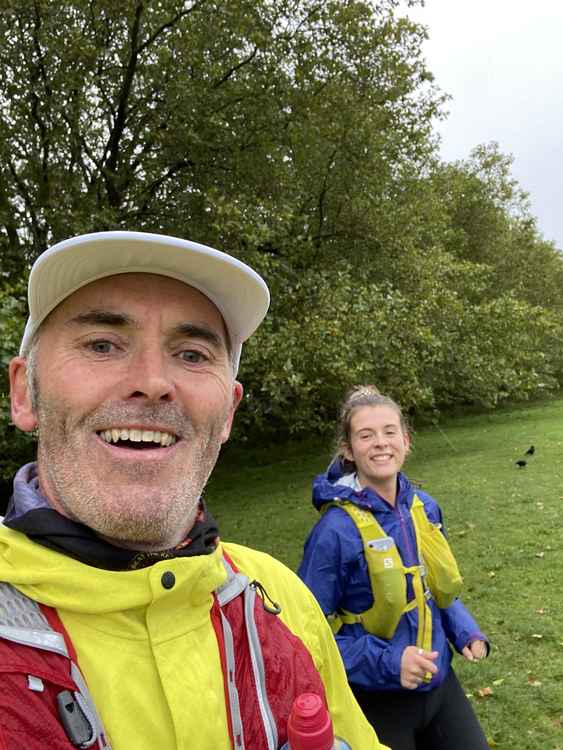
[335, 569]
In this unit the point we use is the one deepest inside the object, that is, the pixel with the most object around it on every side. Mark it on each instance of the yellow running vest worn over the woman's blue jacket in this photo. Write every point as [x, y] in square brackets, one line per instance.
[437, 576]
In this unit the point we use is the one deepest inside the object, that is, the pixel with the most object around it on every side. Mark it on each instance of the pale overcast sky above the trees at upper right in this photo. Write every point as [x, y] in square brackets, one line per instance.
[502, 62]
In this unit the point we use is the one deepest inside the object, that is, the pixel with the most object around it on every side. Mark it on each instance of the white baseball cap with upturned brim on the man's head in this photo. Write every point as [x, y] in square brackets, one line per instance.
[236, 290]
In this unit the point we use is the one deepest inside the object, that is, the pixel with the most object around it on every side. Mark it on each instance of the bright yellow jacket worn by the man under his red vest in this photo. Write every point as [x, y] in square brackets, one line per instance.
[149, 653]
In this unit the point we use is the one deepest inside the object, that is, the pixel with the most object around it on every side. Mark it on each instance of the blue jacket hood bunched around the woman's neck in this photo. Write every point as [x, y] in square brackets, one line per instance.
[335, 483]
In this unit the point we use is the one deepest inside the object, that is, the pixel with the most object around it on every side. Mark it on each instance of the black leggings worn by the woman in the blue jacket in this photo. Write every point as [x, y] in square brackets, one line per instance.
[440, 719]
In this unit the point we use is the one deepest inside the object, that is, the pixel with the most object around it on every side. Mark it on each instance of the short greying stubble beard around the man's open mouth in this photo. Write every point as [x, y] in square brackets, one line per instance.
[132, 505]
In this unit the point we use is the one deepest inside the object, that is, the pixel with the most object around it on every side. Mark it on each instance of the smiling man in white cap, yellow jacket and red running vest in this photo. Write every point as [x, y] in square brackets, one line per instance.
[124, 621]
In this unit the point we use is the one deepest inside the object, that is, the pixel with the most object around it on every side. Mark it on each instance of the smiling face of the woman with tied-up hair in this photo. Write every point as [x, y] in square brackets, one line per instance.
[378, 445]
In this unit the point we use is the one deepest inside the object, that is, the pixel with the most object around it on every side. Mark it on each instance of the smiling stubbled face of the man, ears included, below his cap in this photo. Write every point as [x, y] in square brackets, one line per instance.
[135, 397]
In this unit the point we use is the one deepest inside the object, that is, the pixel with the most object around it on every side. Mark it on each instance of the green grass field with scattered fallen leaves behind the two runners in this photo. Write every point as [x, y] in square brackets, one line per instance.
[504, 524]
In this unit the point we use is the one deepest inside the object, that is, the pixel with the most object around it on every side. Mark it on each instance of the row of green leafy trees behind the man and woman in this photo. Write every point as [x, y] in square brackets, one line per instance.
[297, 136]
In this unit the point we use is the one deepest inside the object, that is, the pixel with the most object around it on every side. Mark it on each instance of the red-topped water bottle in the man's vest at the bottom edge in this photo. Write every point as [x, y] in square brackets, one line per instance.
[309, 726]
